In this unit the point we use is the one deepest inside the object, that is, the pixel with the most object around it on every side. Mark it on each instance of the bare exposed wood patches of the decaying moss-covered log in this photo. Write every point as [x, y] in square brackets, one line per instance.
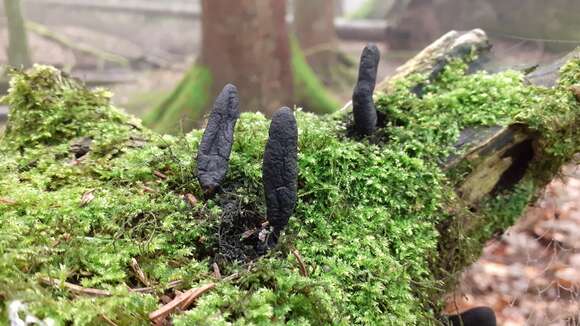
[499, 156]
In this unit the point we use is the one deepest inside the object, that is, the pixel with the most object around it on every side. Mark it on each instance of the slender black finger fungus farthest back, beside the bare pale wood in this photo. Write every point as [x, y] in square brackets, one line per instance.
[365, 114]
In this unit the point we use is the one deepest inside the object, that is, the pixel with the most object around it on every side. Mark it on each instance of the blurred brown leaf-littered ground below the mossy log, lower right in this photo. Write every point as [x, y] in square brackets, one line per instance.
[531, 274]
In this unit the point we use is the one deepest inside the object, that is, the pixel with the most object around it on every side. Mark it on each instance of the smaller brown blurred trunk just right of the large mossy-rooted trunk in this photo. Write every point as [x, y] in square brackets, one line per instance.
[314, 28]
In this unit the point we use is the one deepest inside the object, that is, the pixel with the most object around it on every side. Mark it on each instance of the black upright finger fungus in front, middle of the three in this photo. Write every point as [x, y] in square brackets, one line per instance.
[280, 171]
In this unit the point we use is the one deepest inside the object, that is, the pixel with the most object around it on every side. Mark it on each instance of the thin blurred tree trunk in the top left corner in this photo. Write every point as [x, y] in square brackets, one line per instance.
[18, 54]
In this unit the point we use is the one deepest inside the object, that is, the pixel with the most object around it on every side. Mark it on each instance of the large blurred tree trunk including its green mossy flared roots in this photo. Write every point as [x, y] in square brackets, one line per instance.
[245, 43]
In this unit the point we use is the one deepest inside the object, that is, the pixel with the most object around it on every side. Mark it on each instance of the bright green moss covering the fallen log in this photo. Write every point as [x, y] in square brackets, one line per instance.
[376, 220]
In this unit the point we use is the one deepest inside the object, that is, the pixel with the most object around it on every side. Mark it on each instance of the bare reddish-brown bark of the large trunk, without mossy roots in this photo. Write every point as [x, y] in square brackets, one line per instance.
[246, 43]
